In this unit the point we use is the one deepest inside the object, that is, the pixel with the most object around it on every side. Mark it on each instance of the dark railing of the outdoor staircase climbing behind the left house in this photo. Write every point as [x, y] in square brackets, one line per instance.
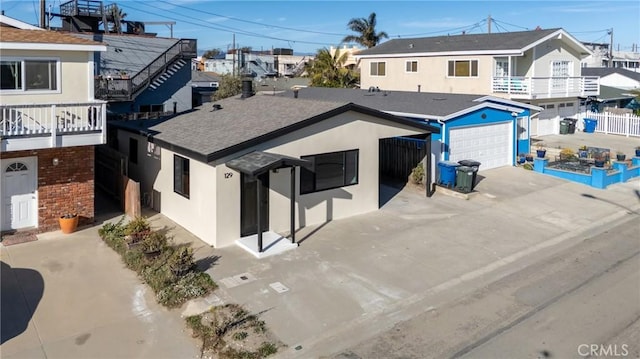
[126, 89]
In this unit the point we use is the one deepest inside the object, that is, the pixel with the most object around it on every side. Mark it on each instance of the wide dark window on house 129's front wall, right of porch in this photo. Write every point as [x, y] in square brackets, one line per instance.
[330, 170]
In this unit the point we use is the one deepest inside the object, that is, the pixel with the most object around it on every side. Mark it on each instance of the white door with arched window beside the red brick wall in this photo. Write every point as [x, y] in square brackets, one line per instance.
[19, 200]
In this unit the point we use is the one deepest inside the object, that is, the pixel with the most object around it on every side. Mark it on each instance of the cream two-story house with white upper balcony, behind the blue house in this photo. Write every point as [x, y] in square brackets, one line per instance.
[539, 67]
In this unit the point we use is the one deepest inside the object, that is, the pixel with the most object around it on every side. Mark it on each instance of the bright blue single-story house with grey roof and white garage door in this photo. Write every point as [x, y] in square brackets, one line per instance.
[487, 129]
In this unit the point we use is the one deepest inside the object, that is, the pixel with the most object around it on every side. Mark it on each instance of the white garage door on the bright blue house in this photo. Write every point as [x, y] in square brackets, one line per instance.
[491, 145]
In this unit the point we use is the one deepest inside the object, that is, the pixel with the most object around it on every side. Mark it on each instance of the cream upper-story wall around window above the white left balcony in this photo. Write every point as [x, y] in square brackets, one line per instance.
[73, 77]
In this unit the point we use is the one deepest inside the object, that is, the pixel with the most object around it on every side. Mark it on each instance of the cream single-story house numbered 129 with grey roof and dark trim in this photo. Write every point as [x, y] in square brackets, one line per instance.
[223, 170]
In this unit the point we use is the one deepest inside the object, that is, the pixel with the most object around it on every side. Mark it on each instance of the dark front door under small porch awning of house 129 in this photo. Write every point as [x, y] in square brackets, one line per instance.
[249, 204]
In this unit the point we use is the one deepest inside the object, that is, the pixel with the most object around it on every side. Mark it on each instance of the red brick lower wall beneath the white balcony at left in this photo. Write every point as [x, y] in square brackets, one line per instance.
[65, 188]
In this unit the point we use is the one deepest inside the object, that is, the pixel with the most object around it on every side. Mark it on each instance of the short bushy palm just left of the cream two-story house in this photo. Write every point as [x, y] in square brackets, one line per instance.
[328, 70]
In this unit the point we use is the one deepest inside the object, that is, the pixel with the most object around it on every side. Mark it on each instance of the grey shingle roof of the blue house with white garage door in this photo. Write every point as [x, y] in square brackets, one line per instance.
[427, 104]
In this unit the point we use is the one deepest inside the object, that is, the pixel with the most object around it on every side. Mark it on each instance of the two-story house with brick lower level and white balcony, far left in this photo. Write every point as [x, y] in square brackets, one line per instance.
[50, 123]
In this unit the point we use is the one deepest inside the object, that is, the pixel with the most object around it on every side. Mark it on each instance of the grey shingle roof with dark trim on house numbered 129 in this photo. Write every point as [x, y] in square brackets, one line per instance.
[207, 134]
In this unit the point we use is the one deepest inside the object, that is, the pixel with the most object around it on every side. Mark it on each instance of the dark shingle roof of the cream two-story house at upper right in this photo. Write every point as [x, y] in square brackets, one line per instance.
[473, 42]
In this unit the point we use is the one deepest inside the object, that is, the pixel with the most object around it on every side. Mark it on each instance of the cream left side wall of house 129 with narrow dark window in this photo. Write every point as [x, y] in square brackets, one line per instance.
[197, 214]
